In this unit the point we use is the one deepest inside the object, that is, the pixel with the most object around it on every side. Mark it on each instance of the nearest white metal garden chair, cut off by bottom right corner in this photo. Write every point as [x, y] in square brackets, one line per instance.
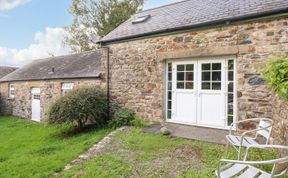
[246, 169]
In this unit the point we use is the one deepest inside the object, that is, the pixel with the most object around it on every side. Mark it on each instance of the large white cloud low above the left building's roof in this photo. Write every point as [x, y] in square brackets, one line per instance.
[46, 44]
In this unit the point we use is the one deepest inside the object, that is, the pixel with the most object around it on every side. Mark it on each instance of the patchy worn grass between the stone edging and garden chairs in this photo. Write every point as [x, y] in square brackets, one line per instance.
[137, 154]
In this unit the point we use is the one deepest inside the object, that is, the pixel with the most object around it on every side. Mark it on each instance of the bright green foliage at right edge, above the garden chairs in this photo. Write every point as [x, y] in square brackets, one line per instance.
[276, 74]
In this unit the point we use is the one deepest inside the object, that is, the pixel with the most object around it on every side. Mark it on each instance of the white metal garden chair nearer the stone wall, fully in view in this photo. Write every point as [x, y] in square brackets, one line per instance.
[263, 130]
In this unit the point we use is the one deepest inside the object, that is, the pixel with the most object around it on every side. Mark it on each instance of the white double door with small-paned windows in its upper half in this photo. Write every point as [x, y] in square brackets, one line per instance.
[198, 92]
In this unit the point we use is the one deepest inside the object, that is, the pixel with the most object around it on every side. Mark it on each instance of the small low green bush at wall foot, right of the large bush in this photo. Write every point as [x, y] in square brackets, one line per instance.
[122, 117]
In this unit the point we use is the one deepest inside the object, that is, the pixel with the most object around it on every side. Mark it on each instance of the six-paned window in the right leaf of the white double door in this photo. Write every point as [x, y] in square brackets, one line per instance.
[211, 76]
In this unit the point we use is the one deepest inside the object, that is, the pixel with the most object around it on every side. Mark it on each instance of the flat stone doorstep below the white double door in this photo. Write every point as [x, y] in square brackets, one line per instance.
[211, 135]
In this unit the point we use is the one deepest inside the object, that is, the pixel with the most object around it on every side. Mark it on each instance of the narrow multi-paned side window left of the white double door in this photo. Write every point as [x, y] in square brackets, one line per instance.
[169, 91]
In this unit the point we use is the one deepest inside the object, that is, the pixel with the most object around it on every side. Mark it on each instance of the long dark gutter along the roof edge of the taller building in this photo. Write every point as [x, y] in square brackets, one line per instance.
[227, 21]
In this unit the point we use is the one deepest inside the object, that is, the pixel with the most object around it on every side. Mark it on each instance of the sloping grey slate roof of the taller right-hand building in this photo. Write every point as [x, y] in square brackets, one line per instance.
[194, 13]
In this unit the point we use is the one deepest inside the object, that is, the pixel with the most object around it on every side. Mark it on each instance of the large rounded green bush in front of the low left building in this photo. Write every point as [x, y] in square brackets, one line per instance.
[79, 107]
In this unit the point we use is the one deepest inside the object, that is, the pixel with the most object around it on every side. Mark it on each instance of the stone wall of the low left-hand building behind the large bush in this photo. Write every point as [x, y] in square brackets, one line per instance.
[20, 105]
